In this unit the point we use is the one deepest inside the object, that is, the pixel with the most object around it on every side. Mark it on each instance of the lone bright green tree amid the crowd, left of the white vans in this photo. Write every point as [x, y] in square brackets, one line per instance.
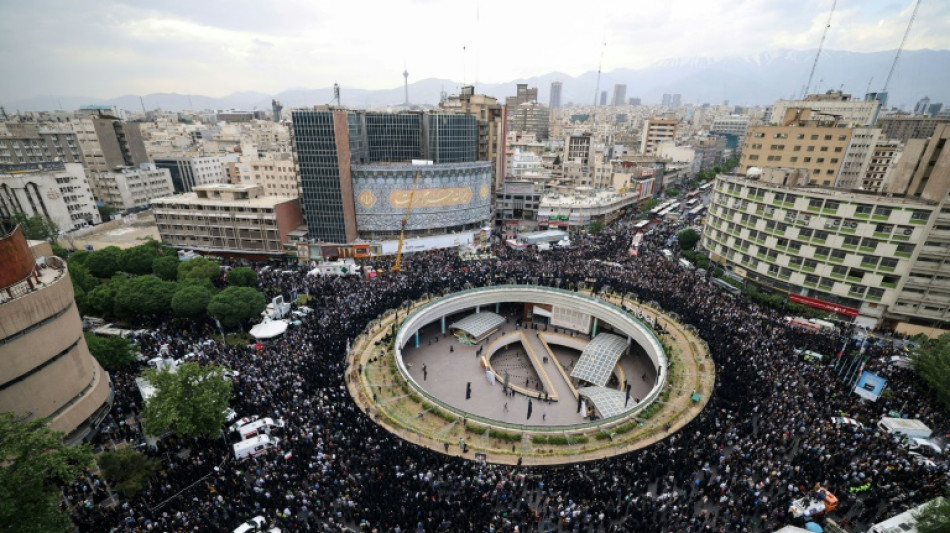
[189, 401]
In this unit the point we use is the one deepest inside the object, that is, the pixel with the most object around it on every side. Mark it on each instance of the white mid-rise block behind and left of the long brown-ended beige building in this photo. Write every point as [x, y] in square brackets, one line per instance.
[129, 188]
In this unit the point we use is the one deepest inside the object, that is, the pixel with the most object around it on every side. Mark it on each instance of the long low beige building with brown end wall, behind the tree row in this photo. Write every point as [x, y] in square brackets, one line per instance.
[228, 219]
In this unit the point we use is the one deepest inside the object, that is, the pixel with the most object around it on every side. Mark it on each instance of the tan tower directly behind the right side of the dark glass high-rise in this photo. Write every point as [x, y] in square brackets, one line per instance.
[491, 119]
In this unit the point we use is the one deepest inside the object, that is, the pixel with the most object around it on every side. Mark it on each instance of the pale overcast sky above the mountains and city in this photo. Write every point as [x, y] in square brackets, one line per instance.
[103, 49]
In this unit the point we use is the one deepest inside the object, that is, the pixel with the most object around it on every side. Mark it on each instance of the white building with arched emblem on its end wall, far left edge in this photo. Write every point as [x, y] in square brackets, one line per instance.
[58, 191]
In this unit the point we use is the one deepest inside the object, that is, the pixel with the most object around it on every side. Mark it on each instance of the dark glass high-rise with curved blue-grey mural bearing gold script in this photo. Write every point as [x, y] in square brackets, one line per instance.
[356, 177]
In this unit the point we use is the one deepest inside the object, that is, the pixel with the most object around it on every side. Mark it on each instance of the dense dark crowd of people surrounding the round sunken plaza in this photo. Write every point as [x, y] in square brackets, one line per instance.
[764, 439]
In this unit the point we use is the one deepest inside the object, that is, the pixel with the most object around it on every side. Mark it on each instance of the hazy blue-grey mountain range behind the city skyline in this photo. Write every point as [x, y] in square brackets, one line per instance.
[759, 79]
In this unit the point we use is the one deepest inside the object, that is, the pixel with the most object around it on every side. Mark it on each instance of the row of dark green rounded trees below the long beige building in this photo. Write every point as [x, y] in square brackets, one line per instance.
[150, 280]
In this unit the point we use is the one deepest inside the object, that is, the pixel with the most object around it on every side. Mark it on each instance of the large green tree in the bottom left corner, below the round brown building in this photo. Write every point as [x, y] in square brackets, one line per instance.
[34, 464]
